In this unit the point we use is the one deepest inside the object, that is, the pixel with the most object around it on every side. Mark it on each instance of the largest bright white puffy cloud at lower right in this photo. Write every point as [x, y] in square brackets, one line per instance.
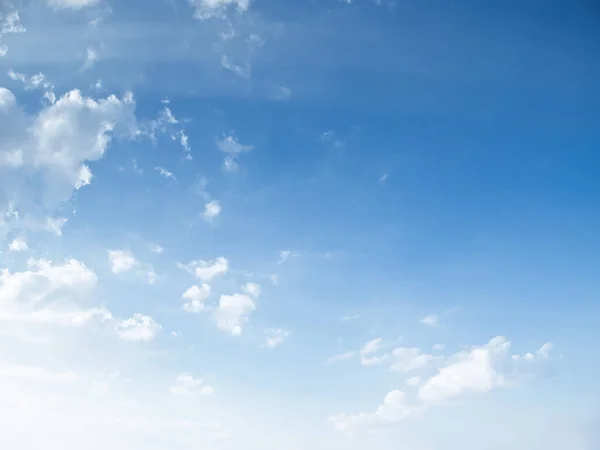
[474, 371]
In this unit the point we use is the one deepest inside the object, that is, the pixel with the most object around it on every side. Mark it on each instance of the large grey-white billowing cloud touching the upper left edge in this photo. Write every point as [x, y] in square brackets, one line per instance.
[57, 143]
